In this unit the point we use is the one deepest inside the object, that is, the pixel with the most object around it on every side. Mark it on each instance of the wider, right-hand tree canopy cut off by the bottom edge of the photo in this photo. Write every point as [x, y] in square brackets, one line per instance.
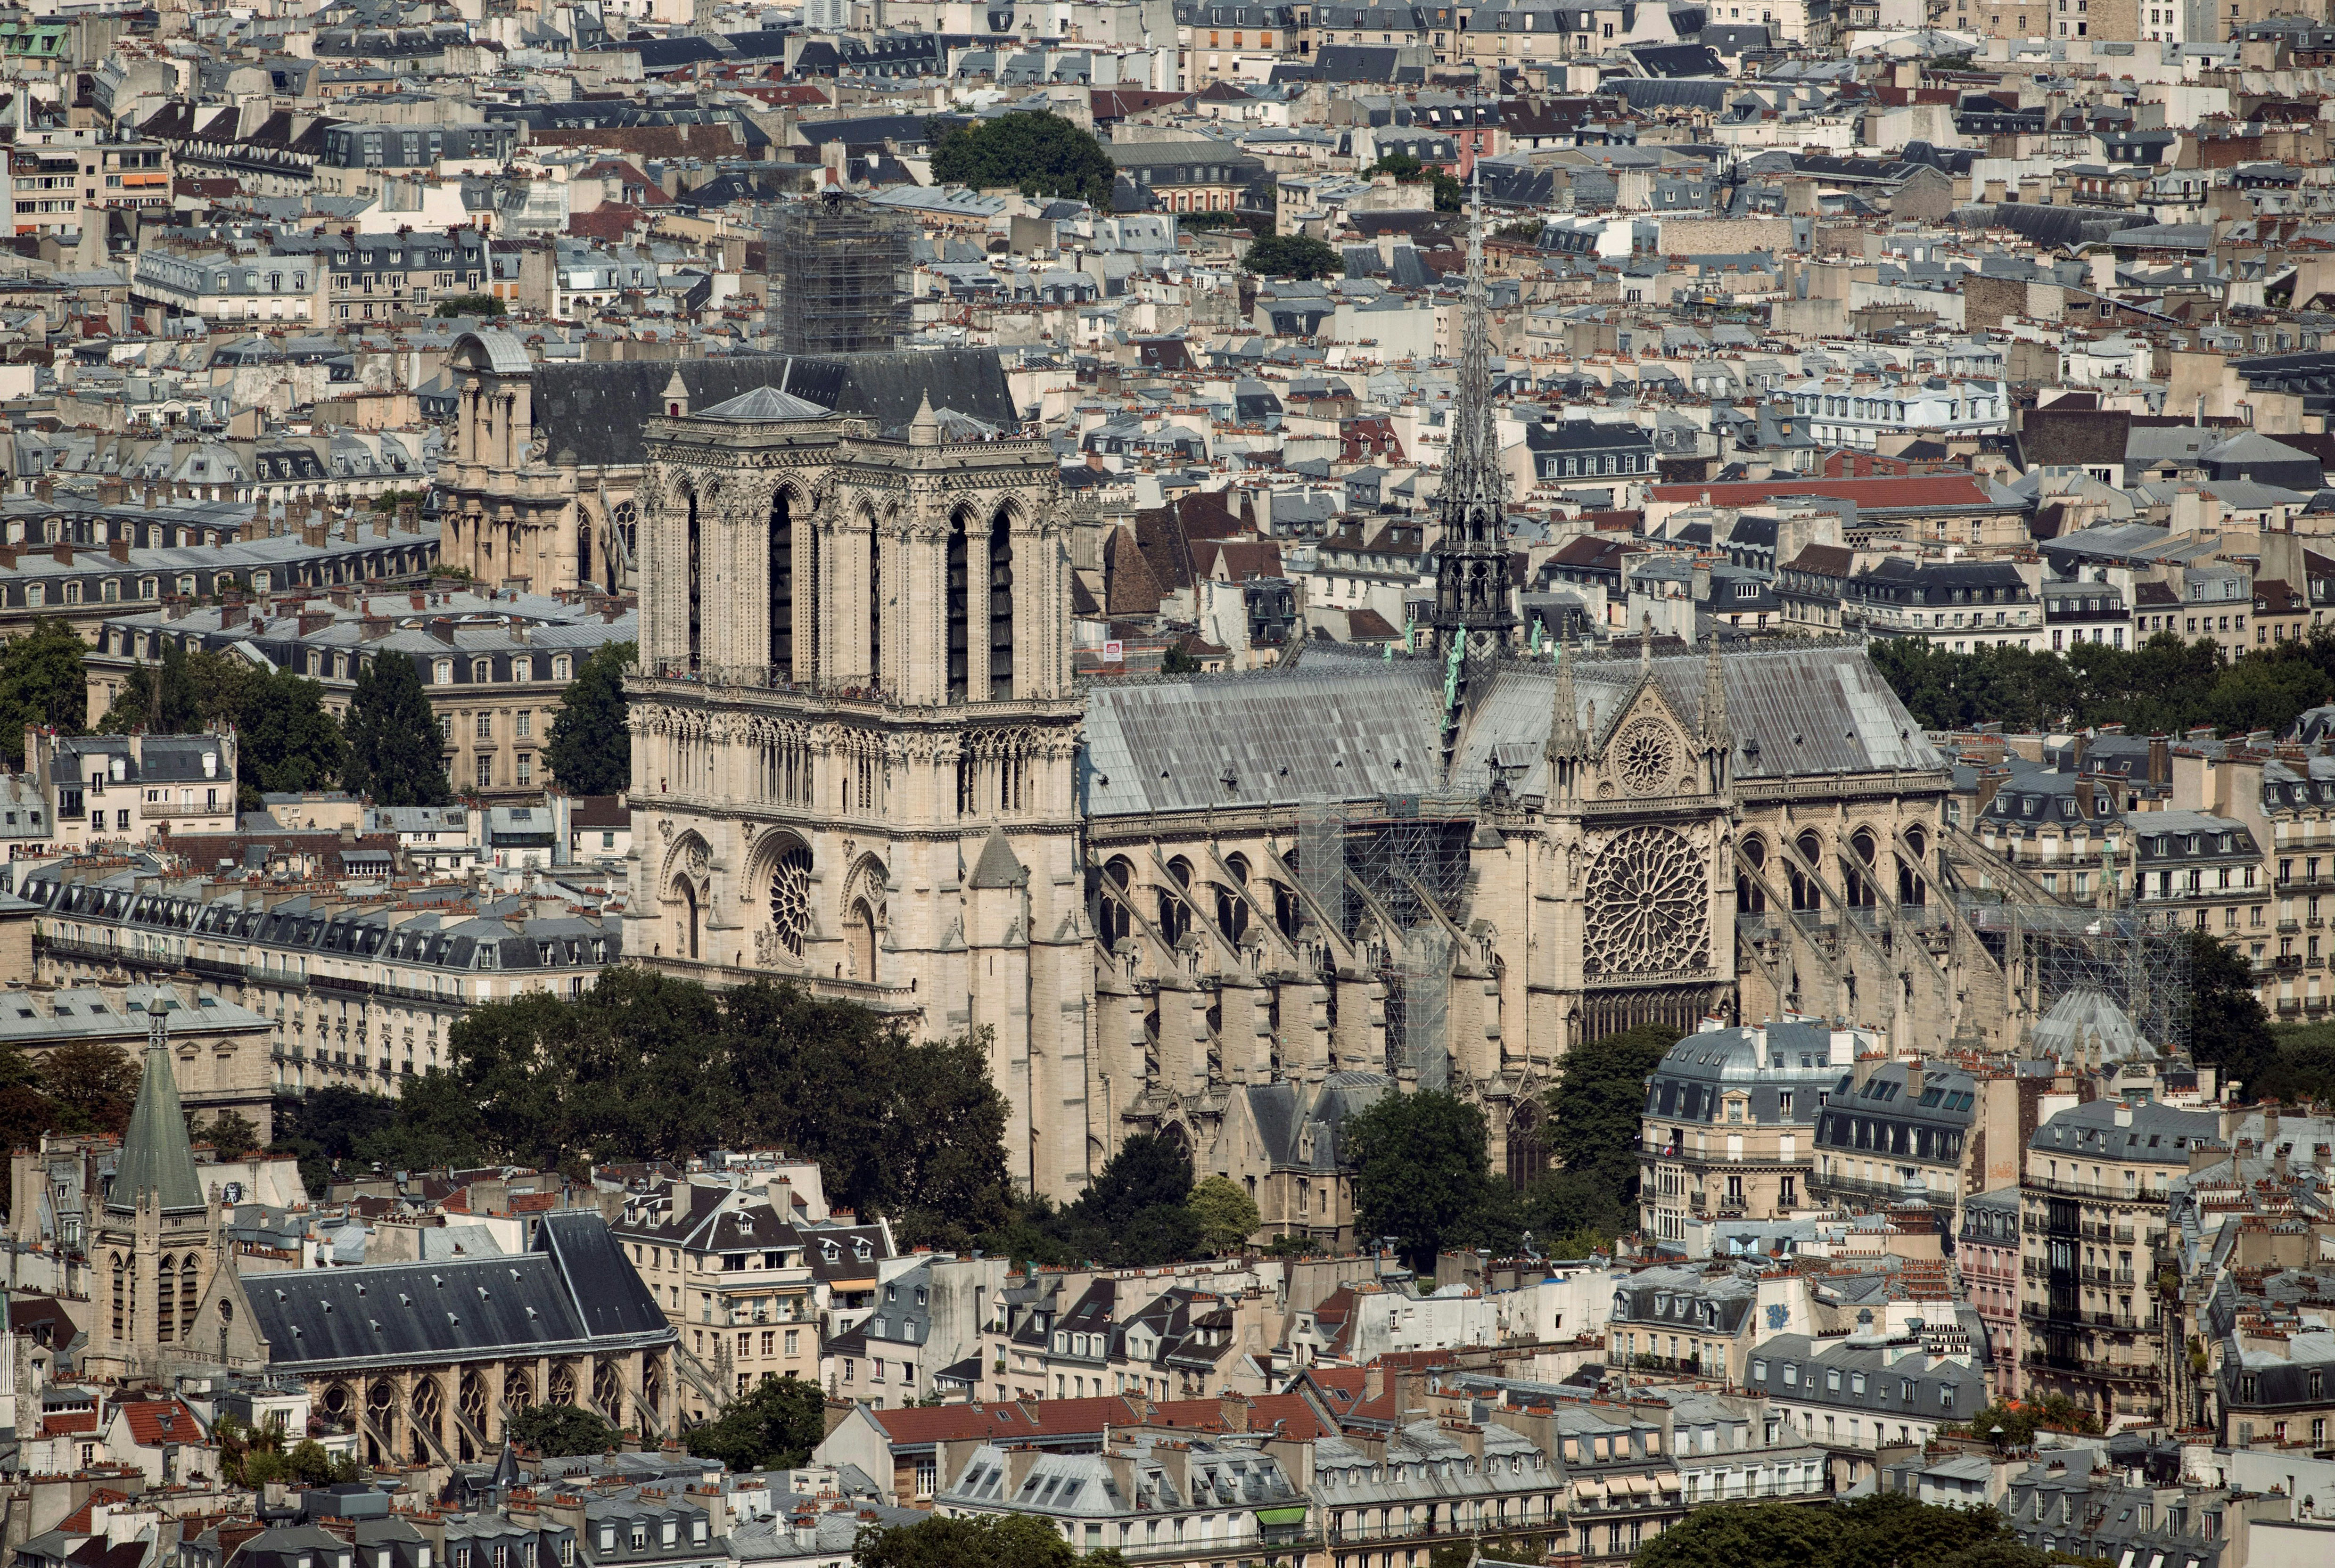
[1881, 1532]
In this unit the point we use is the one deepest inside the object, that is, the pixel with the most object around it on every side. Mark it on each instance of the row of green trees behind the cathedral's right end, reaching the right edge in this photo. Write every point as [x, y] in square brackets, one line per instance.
[2161, 687]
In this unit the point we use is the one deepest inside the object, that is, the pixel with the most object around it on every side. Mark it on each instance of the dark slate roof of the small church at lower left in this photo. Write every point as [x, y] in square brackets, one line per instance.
[573, 1294]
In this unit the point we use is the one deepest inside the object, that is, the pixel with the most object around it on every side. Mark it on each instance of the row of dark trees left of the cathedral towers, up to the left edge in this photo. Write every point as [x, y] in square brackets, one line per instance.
[386, 748]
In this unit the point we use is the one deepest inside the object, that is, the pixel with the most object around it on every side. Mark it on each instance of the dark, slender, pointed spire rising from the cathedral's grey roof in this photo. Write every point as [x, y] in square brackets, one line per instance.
[1472, 556]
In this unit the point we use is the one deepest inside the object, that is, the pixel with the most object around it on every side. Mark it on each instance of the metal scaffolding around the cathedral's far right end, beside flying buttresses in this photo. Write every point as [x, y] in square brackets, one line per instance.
[2128, 955]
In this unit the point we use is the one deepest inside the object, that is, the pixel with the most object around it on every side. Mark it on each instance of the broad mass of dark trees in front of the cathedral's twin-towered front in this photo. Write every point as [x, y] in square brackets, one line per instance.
[648, 1067]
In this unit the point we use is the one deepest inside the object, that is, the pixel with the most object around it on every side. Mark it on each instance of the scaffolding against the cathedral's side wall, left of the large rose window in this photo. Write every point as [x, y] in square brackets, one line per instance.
[1393, 876]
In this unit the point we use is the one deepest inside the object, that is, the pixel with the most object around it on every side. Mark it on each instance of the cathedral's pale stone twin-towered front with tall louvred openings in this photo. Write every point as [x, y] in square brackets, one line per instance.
[856, 729]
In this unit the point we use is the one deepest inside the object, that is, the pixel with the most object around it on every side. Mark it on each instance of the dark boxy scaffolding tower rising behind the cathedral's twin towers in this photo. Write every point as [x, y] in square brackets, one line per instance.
[844, 276]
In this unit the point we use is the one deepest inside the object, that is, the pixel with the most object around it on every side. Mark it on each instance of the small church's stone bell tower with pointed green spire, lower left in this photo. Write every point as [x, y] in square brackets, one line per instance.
[155, 1242]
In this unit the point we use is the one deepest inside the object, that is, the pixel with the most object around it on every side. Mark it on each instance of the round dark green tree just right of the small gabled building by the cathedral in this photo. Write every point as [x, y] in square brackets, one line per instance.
[1423, 1177]
